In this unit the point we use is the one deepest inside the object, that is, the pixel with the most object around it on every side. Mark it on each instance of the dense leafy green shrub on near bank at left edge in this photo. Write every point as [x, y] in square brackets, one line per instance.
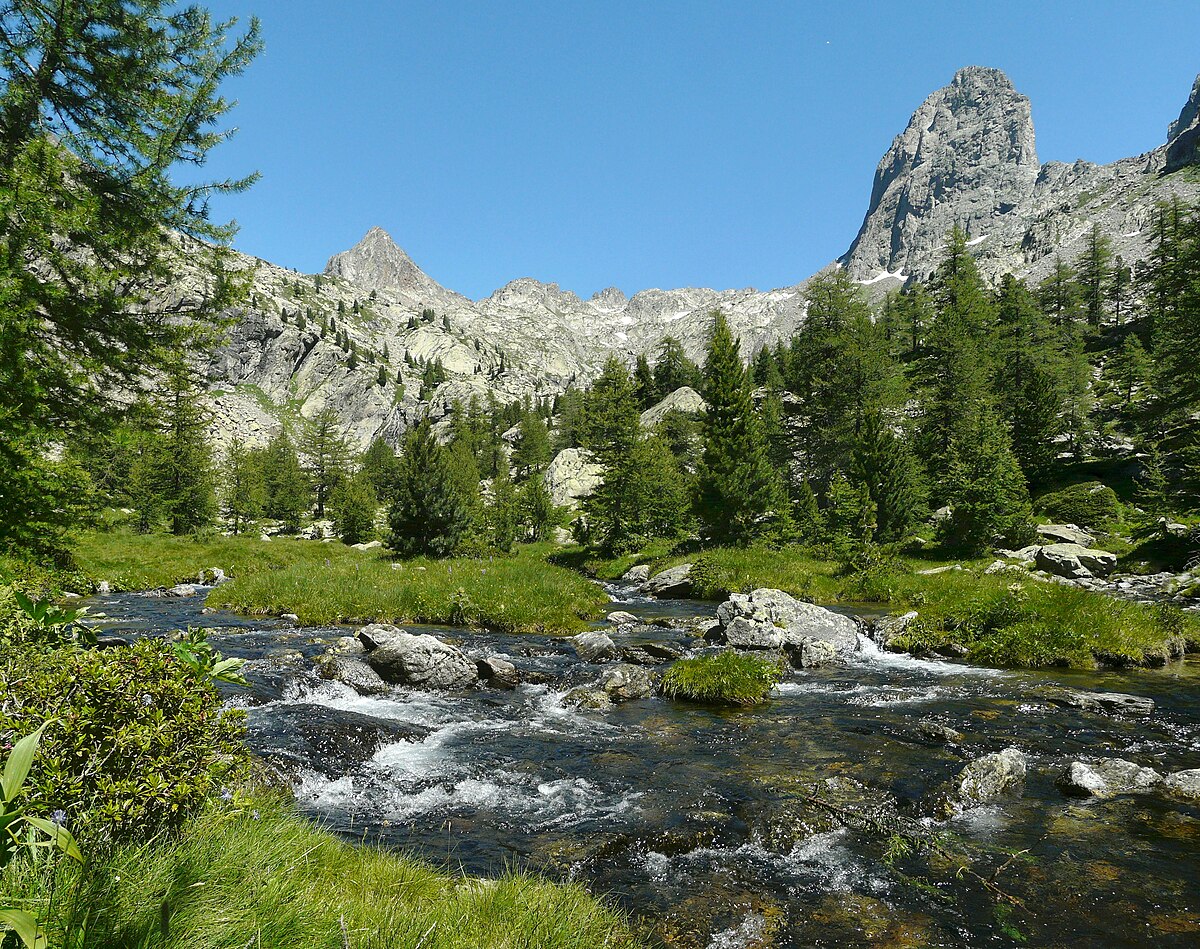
[140, 740]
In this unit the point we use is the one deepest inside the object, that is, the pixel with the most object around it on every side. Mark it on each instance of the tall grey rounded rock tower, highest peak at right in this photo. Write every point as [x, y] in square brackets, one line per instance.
[968, 157]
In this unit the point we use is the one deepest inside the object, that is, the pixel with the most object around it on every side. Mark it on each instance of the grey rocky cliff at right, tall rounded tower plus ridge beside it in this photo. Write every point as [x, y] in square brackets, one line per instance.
[968, 158]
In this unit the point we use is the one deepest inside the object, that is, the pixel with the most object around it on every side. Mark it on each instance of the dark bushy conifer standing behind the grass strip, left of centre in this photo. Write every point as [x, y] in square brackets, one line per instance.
[429, 514]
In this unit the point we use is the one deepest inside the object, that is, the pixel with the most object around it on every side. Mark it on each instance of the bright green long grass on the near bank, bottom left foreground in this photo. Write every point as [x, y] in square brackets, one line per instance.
[255, 874]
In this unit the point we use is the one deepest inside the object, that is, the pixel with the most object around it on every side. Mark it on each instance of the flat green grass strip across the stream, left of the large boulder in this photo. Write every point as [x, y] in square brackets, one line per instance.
[523, 593]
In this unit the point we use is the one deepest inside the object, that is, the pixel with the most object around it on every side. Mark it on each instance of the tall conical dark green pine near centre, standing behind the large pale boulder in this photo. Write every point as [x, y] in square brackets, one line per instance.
[740, 496]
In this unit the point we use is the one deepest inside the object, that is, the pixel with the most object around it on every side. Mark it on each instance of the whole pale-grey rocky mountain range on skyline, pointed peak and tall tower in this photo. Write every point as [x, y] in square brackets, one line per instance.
[968, 157]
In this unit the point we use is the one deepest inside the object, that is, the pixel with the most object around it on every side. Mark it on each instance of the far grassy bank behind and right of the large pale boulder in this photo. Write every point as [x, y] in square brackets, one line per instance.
[1003, 620]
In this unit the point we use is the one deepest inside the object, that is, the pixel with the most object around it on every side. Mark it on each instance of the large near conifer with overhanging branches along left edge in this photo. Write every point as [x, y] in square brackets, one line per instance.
[100, 104]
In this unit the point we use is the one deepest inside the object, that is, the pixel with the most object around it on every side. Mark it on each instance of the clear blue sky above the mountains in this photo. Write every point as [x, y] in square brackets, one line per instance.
[649, 145]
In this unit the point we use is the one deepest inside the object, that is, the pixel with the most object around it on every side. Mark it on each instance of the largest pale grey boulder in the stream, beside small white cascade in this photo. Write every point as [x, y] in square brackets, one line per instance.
[773, 620]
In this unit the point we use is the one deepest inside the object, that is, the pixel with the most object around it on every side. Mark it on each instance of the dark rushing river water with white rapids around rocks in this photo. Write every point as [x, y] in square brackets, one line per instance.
[700, 822]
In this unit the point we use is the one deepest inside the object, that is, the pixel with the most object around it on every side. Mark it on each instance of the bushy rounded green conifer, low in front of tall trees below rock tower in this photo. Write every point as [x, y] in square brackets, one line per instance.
[987, 492]
